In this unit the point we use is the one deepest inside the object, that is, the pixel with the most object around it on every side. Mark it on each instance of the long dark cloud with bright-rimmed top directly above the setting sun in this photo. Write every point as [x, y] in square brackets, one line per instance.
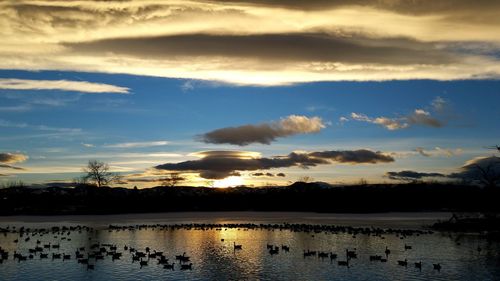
[221, 164]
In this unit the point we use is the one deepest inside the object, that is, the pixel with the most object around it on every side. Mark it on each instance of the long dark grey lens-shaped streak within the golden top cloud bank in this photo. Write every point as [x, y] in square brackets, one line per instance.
[277, 48]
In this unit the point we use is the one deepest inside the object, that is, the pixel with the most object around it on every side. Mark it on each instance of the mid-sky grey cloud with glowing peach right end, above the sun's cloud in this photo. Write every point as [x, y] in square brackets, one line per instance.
[264, 133]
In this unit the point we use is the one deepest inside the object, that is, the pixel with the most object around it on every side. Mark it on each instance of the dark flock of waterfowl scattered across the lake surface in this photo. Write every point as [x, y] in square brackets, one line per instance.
[90, 255]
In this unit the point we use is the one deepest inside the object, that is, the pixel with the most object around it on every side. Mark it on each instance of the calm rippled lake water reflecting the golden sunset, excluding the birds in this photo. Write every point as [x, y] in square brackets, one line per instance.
[214, 259]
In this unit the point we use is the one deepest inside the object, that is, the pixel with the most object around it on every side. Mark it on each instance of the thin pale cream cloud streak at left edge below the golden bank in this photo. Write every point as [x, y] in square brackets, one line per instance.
[61, 85]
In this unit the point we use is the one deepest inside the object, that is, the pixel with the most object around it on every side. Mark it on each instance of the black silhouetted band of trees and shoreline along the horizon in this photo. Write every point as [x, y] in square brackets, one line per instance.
[300, 196]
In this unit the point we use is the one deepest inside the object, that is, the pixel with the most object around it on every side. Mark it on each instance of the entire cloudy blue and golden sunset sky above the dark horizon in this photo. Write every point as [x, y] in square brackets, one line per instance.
[248, 92]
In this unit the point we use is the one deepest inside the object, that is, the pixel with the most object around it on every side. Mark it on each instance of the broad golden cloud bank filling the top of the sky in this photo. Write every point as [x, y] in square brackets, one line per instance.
[262, 45]
